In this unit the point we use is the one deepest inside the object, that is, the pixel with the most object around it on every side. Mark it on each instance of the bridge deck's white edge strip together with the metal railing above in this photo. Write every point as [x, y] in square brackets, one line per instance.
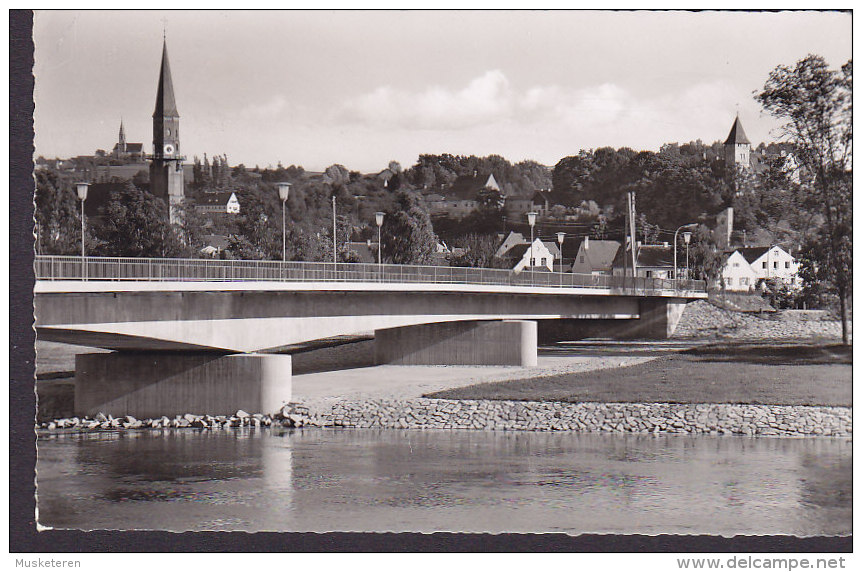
[73, 274]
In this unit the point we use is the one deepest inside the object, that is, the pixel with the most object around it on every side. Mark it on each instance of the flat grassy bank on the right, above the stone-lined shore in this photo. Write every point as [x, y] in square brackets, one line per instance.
[748, 373]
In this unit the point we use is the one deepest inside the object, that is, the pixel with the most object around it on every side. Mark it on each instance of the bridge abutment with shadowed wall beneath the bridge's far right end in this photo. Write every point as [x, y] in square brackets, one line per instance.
[657, 320]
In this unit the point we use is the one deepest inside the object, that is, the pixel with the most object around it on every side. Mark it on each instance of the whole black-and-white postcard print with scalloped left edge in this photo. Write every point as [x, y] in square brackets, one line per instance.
[470, 271]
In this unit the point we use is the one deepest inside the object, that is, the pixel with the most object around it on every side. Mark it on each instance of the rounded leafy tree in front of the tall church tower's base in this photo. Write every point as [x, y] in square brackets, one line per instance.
[136, 224]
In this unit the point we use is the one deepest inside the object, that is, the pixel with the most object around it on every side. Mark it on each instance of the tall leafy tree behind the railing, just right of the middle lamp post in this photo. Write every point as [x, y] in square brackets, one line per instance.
[407, 234]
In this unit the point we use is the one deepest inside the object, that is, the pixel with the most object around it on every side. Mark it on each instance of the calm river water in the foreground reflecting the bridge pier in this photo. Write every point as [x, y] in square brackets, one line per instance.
[468, 481]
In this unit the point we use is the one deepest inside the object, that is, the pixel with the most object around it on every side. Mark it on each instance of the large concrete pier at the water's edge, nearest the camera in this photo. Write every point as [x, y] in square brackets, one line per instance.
[151, 384]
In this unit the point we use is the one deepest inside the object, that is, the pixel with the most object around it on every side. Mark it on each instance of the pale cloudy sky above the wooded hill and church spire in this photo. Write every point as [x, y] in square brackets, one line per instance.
[363, 88]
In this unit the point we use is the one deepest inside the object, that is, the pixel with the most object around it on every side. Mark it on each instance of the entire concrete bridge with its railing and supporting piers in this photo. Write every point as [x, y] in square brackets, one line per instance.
[216, 336]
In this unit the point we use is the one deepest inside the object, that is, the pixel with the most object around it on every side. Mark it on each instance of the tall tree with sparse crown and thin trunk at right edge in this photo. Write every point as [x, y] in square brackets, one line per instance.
[815, 104]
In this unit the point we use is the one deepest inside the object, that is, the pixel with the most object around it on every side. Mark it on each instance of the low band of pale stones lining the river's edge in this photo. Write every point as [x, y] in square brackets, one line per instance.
[487, 415]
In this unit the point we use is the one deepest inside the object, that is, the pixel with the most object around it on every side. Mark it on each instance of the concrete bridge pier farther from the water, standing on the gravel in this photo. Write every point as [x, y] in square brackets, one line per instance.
[504, 342]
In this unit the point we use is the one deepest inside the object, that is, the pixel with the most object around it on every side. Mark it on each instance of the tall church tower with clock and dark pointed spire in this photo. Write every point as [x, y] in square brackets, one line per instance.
[166, 166]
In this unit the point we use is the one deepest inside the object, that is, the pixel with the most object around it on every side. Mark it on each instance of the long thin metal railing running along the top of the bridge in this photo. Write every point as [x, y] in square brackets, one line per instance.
[212, 270]
